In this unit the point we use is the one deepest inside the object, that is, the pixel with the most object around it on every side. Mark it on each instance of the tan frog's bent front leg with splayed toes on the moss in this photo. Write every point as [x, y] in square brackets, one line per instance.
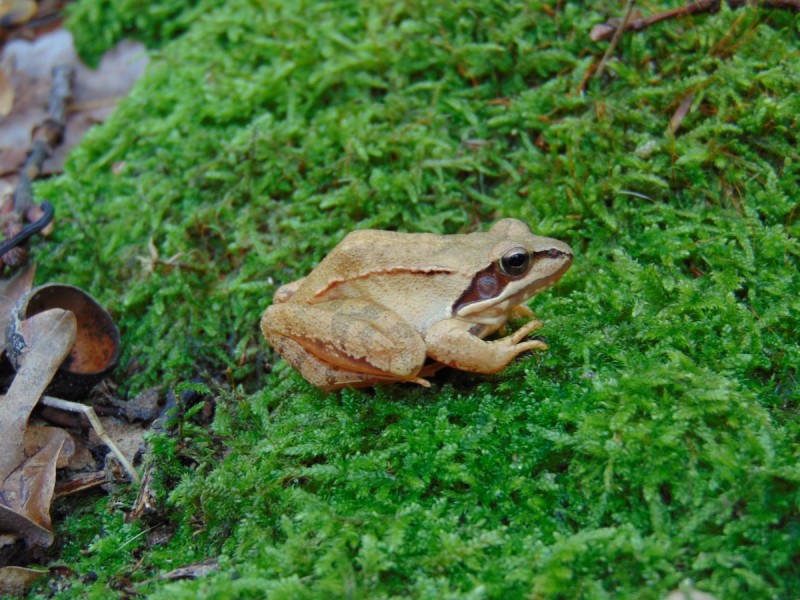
[450, 342]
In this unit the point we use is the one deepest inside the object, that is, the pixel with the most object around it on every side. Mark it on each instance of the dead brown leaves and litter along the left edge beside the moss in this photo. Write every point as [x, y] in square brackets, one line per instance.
[31, 454]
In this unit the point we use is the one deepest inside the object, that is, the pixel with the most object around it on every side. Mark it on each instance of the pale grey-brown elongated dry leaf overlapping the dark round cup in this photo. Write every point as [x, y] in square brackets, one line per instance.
[48, 338]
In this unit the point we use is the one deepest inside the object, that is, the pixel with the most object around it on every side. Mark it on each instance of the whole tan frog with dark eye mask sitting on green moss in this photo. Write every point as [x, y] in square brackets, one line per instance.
[384, 307]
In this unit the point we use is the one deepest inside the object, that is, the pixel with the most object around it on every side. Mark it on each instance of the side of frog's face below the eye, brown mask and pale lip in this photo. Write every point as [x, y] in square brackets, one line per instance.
[488, 298]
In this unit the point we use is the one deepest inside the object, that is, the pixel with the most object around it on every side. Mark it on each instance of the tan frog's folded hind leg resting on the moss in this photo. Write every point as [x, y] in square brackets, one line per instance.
[345, 343]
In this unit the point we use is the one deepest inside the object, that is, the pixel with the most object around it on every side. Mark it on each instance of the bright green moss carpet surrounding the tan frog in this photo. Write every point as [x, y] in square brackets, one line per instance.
[654, 445]
